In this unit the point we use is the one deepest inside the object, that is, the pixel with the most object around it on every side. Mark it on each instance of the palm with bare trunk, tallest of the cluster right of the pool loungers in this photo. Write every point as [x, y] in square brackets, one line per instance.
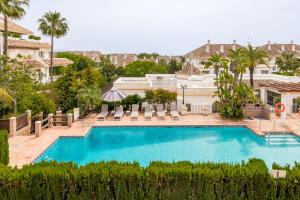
[254, 57]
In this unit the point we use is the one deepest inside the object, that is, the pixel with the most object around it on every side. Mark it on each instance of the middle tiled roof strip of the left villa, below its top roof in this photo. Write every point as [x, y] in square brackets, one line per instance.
[16, 43]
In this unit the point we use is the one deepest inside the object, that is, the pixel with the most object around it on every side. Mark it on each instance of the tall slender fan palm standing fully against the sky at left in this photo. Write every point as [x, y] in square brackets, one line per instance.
[52, 24]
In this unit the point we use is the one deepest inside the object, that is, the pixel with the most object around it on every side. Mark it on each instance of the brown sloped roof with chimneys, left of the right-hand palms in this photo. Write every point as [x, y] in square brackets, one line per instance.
[208, 50]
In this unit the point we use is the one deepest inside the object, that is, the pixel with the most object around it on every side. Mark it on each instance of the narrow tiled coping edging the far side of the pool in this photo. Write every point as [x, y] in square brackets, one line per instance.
[164, 126]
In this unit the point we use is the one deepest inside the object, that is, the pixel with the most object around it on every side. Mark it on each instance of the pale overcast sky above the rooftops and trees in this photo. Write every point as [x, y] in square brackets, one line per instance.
[171, 27]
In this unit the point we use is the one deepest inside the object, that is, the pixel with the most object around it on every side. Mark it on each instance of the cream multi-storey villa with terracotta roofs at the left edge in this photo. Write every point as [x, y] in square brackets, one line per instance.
[30, 51]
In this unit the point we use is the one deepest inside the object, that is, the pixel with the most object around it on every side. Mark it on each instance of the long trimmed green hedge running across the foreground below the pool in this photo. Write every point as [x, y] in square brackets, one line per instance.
[113, 180]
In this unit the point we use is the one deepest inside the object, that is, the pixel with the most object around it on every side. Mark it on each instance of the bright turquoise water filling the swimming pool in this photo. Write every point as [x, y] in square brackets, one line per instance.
[196, 144]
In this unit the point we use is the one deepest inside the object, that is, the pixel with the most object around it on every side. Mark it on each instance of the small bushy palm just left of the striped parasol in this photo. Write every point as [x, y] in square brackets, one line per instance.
[88, 98]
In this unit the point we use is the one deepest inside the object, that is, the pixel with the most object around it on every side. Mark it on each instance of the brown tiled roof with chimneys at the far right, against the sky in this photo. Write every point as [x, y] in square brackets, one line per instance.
[278, 49]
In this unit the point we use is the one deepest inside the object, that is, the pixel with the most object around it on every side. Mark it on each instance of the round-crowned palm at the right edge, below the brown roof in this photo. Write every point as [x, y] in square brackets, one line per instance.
[287, 62]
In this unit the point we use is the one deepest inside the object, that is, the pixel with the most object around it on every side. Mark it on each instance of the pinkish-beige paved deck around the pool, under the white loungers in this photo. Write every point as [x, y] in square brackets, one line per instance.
[24, 149]
